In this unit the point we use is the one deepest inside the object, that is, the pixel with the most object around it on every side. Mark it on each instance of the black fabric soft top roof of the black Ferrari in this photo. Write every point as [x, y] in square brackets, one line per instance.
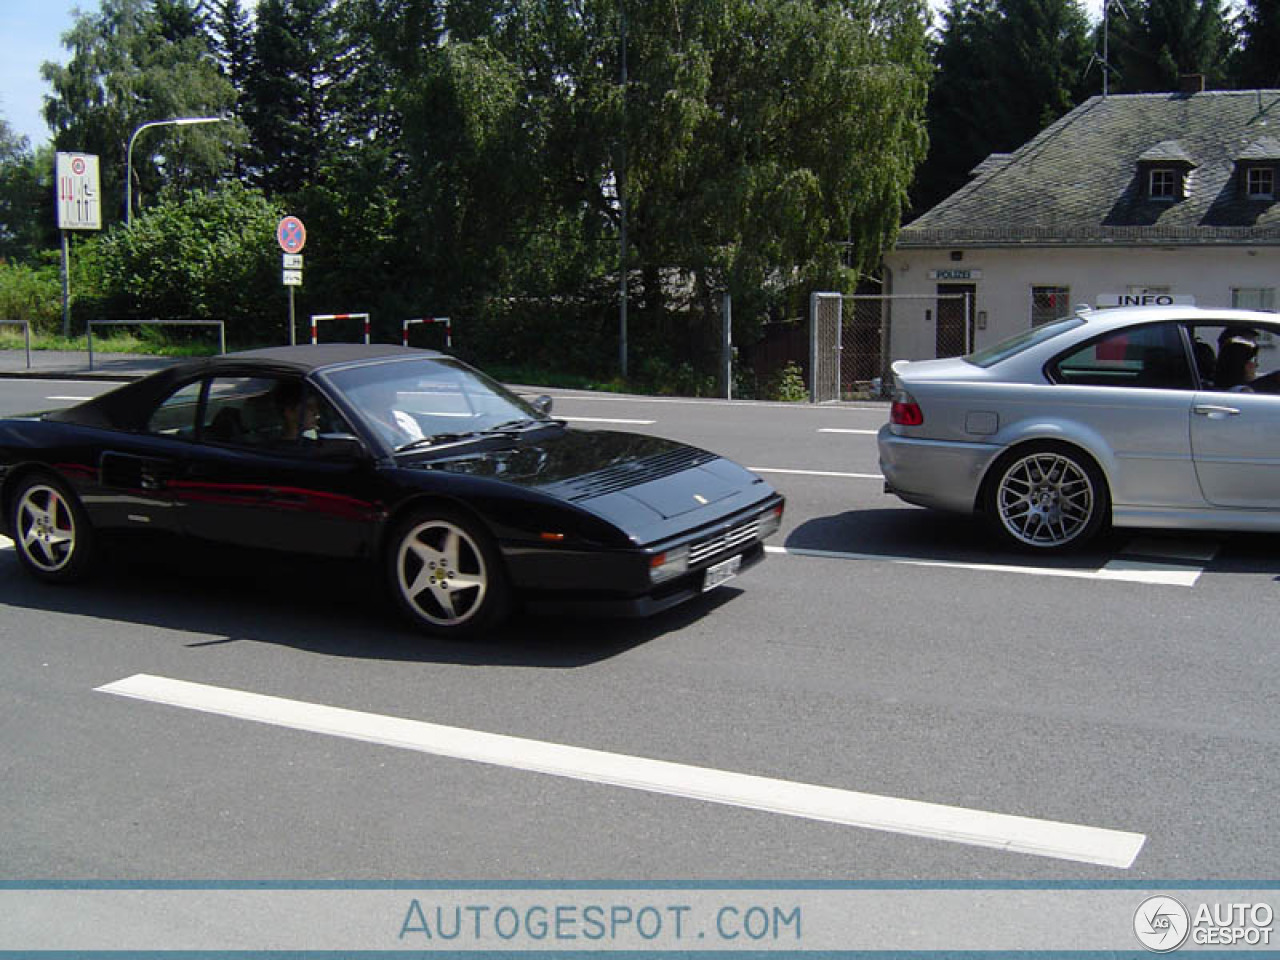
[124, 409]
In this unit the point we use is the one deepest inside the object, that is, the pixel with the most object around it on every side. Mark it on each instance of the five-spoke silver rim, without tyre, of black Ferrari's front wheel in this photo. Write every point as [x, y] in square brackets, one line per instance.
[442, 574]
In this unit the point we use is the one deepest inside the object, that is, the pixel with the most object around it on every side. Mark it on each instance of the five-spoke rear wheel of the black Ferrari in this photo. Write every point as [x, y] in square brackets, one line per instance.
[51, 531]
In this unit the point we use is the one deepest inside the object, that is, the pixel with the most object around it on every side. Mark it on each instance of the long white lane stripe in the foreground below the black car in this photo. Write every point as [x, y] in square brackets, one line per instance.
[1067, 842]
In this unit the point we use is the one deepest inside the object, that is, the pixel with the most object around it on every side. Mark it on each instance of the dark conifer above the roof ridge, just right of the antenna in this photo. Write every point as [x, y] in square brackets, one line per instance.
[1159, 42]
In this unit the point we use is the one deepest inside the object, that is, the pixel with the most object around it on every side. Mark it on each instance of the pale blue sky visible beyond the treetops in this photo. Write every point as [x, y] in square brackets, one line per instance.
[31, 34]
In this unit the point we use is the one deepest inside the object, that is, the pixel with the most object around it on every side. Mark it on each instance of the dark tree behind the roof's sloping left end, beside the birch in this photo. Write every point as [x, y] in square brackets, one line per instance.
[1005, 71]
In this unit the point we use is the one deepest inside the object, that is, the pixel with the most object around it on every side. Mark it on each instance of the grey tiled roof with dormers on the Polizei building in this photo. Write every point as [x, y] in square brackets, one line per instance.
[1078, 181]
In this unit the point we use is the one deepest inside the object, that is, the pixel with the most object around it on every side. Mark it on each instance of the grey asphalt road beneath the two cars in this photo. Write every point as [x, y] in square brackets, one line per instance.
[884, 651]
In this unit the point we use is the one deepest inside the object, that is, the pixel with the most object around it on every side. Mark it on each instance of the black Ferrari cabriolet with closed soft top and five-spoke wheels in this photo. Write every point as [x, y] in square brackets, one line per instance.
[467, 496]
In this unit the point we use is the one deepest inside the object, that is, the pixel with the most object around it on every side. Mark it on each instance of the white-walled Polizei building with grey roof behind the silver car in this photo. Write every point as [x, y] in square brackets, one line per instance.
[1171, 195]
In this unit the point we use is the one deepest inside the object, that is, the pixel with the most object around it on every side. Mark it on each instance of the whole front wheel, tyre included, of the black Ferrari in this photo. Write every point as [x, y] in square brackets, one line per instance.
[447, 574]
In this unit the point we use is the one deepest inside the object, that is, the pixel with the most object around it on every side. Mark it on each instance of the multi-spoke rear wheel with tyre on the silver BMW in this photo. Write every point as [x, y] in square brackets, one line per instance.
[1048, 497]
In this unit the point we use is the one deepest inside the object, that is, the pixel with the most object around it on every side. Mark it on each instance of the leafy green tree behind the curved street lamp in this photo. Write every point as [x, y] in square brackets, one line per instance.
[131, 63]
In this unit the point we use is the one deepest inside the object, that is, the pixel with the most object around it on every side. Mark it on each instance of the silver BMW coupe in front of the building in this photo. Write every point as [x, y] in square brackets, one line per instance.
[1133, 417]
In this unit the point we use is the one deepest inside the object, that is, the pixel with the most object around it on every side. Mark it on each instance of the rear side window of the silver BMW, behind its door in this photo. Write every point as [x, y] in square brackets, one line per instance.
[1149, 358]
